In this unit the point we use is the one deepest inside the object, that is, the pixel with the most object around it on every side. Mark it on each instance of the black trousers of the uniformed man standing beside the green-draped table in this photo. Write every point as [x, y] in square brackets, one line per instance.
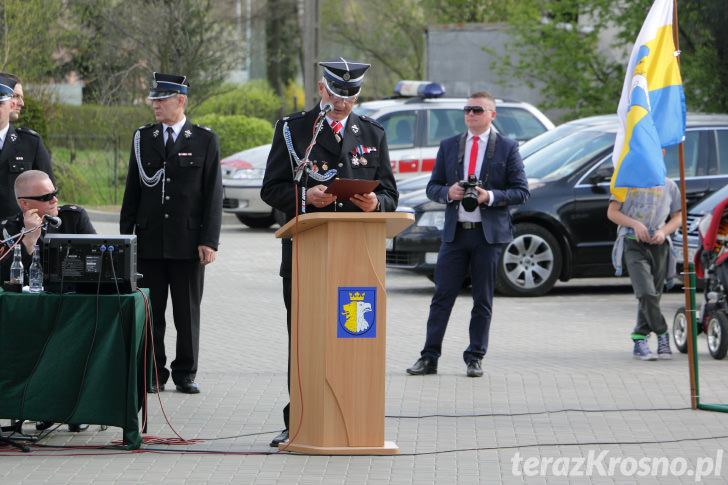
[183, 279]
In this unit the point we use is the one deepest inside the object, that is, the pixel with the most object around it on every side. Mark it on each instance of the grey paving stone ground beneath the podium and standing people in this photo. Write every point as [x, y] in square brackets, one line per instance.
[561, 399]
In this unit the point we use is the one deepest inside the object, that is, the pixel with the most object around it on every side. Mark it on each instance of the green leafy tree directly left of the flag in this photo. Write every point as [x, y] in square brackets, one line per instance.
[553, 50]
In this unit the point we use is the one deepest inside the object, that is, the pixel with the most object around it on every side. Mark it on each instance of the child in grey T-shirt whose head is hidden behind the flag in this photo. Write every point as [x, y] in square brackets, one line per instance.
[643, 237]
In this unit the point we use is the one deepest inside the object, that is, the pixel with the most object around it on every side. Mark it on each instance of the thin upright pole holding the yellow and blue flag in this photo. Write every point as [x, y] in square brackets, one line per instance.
[688, 287]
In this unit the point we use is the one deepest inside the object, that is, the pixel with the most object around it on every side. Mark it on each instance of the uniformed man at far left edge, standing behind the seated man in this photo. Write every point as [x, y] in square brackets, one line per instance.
[21, 149]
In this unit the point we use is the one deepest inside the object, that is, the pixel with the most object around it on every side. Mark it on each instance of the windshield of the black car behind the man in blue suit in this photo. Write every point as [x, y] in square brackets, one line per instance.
[564, 156]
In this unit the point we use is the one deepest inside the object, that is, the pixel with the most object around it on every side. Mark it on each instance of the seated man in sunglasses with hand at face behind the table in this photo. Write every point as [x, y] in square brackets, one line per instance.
[37, 197]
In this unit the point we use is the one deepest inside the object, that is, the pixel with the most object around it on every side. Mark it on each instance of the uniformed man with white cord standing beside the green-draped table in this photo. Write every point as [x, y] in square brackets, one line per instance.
[173, 203]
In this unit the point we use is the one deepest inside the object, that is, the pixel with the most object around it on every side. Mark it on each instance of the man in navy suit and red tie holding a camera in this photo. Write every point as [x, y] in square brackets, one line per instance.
[475, 230]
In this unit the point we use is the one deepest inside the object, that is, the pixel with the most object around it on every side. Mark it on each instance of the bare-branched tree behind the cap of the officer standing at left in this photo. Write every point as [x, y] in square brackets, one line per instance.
[131, 38]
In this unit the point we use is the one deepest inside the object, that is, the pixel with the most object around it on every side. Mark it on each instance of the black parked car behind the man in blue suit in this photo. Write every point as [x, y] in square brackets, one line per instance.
[562, 231]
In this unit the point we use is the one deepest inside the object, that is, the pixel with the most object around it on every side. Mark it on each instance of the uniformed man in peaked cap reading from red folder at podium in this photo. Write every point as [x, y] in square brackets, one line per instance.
[347, 146]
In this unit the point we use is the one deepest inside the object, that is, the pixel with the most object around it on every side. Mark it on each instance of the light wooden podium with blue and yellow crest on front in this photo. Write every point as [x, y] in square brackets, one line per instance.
[338, 331]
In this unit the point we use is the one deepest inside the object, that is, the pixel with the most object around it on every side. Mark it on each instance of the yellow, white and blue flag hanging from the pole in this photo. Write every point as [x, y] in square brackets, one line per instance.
[652, 107]
